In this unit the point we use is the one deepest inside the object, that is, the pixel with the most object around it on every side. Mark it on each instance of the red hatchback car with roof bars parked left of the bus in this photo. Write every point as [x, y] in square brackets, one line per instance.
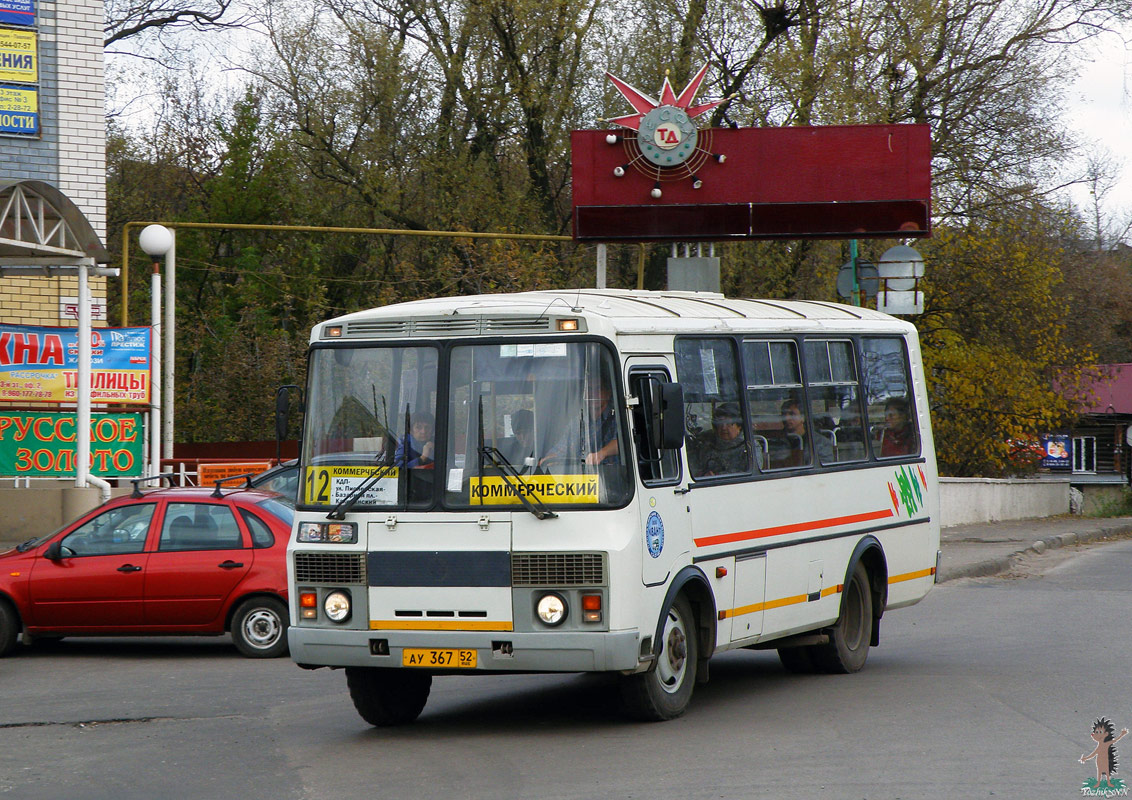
[157, 563]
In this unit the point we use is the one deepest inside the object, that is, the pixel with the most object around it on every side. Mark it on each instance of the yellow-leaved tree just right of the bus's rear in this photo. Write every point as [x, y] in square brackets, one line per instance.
[993, 338]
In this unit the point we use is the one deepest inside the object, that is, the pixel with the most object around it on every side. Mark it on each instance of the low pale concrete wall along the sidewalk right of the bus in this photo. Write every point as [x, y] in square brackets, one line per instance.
[968, 501]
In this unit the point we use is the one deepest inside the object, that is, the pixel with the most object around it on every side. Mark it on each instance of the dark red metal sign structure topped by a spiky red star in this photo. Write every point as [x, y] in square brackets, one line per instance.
[659, 178]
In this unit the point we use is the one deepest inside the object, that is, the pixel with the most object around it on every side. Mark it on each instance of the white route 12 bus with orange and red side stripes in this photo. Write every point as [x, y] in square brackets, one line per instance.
[602, 480]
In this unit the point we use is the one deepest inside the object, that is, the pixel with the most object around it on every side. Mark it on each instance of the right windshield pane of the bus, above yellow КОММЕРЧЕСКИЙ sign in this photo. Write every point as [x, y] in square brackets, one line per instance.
[548, 410]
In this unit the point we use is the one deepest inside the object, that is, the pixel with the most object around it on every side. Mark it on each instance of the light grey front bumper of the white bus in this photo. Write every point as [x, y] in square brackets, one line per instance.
[496, 652]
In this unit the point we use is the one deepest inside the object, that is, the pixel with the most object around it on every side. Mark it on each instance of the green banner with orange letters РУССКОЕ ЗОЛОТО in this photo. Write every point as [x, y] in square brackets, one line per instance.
[44, 445]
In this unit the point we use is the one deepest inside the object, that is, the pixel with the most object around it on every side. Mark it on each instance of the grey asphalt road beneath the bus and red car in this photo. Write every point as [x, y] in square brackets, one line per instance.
[988, 689]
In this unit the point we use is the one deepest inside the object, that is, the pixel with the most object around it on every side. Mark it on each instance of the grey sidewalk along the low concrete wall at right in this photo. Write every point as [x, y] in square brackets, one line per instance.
[991, 548]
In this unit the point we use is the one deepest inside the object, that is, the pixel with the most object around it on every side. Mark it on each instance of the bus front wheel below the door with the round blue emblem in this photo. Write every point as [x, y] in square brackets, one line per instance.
[664, 692]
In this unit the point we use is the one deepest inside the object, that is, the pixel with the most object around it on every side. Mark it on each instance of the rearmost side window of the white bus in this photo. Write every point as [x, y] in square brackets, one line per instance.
[888, 392]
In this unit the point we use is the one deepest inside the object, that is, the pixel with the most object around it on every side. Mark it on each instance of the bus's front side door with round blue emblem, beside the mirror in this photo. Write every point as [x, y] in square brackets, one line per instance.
[665, 520]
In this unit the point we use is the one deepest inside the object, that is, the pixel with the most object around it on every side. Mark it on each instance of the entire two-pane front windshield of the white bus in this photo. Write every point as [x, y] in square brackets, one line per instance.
[539, 418]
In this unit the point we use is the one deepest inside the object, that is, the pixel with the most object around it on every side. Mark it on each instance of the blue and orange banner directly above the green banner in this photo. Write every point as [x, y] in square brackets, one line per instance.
[40, 365]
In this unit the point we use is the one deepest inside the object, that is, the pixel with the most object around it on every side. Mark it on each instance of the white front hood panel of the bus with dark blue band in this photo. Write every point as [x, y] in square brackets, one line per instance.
[441, 572]
